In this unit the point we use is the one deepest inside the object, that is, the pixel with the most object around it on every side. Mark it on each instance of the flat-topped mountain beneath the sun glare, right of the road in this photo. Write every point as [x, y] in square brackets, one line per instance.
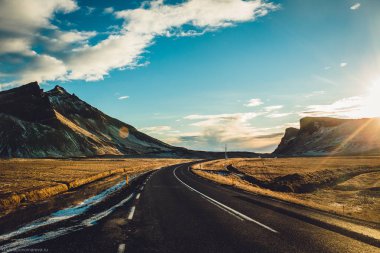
[330, 136]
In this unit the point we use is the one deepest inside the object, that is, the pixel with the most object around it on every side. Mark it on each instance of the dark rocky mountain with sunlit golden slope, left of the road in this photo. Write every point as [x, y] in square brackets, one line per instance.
[34, 123]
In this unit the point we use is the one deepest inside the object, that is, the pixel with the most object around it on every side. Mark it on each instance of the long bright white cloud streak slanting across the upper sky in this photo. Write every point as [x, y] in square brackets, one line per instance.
[142, 25]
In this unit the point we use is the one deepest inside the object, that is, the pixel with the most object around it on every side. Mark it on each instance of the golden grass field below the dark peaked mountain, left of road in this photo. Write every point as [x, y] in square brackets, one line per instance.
[24, 181]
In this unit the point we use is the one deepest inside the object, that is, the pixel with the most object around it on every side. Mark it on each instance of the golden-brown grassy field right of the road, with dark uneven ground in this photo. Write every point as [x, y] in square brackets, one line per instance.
[343, 185]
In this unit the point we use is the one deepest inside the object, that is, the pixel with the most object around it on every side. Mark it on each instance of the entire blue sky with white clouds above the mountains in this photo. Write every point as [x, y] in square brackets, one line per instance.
[200, 73]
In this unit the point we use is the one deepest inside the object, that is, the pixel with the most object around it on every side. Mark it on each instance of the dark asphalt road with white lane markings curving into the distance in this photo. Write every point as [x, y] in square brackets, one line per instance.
[176, 211]
